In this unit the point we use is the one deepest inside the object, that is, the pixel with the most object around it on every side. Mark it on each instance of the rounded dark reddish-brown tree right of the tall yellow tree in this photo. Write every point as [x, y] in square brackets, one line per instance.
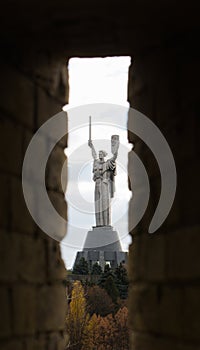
[99, 302]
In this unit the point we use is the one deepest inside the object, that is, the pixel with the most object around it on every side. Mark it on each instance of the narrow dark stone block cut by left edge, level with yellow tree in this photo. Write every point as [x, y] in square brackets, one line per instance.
[5, 319]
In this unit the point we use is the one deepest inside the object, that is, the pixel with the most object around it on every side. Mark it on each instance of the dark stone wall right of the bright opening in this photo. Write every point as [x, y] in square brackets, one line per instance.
[164, 267]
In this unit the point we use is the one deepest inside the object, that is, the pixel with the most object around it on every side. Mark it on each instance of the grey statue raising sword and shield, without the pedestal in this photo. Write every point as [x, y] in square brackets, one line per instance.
[104, 173]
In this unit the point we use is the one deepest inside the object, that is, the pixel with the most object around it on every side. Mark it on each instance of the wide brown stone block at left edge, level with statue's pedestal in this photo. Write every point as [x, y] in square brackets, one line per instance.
[17, 251]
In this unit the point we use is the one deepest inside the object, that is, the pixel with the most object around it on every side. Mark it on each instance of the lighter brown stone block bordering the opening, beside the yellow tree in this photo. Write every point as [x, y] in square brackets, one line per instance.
[51, 308]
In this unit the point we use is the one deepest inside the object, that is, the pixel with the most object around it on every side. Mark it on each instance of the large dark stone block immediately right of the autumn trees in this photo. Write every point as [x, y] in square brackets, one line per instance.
[156, 309]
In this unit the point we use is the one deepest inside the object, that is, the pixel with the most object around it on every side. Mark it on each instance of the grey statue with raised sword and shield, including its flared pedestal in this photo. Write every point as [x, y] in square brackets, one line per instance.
[102, 244]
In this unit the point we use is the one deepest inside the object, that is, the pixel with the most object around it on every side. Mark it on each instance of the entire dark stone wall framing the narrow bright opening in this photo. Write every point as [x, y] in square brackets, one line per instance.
[164, 269]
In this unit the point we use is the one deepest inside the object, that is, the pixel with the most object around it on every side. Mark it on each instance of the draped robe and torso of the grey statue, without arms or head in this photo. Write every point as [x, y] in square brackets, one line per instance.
[104, 172]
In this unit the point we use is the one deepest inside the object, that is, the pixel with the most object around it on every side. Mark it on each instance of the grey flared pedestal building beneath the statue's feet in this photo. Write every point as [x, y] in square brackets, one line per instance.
[102, 245]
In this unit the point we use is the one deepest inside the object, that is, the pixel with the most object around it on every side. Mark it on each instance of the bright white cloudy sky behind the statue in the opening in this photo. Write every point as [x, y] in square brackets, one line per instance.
[92, 80]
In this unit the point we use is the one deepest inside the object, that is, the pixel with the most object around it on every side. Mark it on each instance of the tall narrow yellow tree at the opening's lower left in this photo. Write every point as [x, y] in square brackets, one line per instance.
[77, 318]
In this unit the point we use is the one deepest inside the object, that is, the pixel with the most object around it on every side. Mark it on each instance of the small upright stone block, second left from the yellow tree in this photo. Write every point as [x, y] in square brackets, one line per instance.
[24, 309]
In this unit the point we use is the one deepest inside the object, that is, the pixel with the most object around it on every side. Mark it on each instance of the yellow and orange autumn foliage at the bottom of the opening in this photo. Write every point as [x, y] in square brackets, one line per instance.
[95, 332]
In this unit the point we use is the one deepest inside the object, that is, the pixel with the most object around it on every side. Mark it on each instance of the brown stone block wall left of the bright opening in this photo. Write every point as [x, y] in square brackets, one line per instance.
[32, 295]
